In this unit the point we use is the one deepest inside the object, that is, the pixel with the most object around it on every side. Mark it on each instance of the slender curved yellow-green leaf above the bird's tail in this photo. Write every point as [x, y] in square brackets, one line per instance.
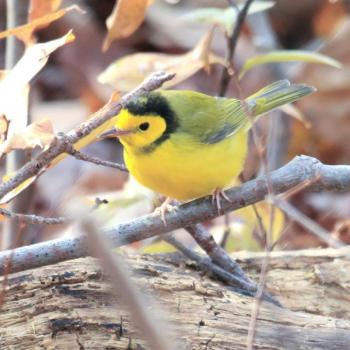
[288, 56]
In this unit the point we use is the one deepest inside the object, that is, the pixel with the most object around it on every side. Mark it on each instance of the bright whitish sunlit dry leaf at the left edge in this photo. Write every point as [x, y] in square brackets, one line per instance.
[14, 85]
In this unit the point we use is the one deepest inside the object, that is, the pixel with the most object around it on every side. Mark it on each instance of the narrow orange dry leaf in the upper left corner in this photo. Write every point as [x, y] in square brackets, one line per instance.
[25, 32]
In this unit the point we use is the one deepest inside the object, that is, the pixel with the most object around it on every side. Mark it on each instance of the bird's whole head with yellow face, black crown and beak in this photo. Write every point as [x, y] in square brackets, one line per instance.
[144, 123]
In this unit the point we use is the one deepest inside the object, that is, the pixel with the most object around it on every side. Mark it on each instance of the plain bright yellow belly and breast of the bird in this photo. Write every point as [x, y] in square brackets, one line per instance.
[182, 170]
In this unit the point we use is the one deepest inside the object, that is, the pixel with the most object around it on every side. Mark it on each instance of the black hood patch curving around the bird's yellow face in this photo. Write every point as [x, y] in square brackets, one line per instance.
[155, 104]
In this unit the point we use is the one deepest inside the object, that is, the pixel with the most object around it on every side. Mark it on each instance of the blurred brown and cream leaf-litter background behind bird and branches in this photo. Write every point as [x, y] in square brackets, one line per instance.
[67, 91]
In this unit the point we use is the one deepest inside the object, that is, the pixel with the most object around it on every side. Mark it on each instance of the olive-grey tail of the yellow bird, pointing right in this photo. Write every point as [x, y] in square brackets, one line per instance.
[275, 95]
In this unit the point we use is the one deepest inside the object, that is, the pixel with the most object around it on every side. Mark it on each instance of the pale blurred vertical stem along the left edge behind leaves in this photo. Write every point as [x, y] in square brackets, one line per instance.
[16, 12]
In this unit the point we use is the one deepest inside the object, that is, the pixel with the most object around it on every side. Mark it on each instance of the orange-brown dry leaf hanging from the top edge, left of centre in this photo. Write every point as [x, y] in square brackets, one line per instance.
[126, 17]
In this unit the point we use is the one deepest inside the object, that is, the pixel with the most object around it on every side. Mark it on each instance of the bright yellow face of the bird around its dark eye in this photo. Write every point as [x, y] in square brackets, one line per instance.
[144, 130]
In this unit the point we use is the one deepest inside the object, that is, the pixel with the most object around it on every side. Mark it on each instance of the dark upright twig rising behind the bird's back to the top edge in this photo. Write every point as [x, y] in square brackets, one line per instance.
[232, 44]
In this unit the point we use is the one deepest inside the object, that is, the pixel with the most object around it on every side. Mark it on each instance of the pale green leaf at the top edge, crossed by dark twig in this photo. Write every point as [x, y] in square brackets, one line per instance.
[223, 17]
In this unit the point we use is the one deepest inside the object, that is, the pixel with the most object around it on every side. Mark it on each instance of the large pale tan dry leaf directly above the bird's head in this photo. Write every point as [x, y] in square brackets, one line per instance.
[128, 72]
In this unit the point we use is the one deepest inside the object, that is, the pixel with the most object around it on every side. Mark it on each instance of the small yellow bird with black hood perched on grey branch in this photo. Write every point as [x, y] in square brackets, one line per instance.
[185, 144]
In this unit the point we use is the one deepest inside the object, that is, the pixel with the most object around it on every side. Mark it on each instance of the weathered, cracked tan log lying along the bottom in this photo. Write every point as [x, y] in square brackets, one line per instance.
[69, 305]
